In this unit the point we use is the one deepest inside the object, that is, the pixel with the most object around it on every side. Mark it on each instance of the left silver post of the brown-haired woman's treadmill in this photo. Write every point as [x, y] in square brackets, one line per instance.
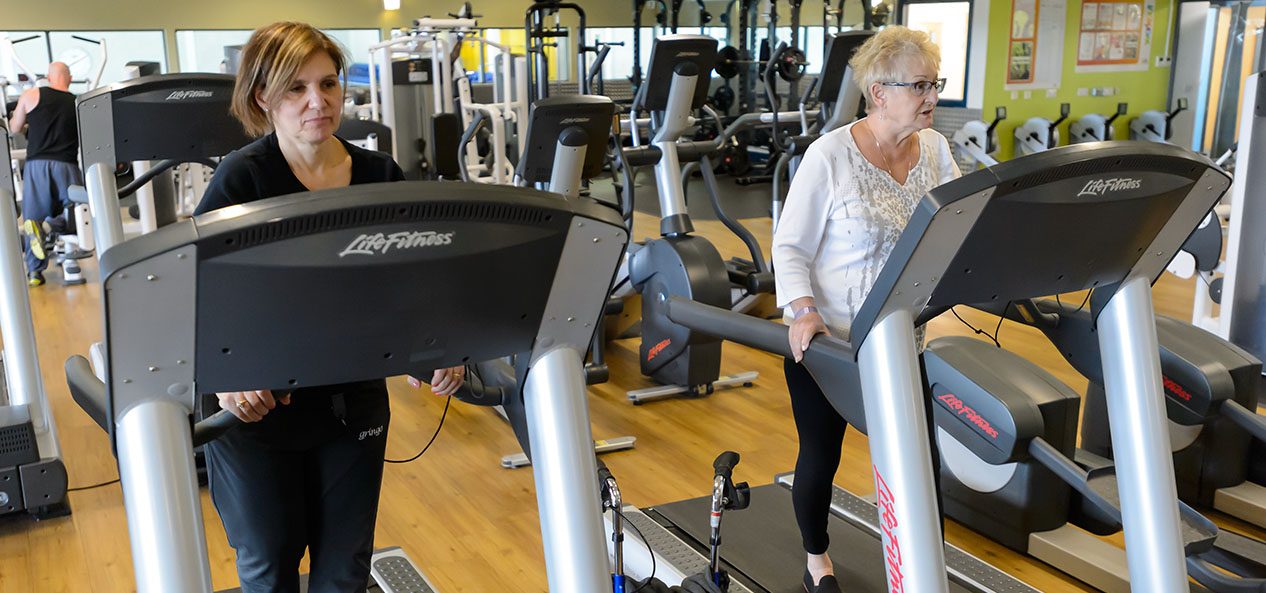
[160, 494]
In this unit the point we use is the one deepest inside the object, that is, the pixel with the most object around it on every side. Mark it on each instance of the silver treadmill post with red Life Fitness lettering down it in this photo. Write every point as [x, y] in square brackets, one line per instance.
[899, 447]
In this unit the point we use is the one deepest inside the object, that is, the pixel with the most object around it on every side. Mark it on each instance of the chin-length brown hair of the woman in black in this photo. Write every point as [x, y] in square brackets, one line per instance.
[270, 63]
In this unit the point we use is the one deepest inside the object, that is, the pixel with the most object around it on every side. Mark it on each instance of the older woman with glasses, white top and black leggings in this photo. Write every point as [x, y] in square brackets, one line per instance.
[846, 208]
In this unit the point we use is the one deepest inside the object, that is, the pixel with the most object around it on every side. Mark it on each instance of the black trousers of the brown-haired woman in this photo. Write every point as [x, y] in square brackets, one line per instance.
[282, 490]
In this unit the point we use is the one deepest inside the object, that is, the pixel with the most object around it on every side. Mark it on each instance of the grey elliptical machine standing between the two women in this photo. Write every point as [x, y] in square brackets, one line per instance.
[680, 263]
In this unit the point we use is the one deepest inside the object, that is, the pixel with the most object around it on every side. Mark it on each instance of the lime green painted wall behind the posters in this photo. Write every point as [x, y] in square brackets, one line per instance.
[1144, 91]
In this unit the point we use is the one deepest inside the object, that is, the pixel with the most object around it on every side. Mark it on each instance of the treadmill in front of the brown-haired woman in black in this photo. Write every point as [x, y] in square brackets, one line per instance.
[179, 322]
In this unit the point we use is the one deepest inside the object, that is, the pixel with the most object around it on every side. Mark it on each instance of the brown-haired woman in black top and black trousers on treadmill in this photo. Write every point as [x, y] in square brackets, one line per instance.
[306, 475]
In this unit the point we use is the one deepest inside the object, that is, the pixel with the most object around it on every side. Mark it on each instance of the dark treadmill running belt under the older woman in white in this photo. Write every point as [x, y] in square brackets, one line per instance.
[764, 543]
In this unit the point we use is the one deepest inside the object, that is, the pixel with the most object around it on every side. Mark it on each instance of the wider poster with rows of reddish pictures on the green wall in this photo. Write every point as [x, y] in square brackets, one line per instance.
[1116, 36]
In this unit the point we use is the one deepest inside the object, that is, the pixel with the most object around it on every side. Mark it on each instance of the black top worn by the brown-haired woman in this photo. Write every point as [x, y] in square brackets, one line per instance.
[316, 415]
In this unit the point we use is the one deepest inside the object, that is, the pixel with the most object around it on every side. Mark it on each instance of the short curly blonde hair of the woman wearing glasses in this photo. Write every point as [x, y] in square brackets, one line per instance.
[883, 56]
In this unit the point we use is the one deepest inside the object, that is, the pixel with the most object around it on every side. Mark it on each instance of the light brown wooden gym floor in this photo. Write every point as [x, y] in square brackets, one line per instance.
[468, 523]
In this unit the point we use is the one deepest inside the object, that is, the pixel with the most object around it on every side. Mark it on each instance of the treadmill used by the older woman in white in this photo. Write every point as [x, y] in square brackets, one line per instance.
[1135, 219]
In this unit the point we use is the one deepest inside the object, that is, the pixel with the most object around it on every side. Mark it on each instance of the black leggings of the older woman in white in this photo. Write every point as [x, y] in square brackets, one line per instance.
[822, 434]
